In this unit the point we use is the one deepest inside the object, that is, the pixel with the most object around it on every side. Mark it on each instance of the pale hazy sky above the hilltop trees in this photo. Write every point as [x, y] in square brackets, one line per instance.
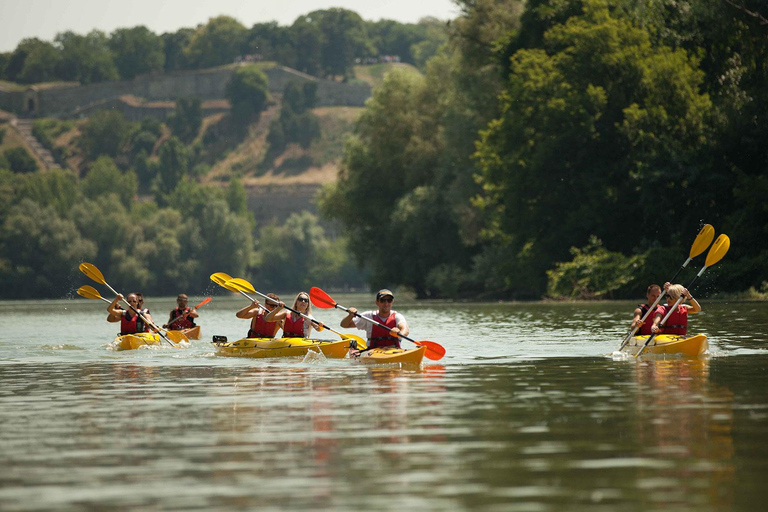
[44, 19]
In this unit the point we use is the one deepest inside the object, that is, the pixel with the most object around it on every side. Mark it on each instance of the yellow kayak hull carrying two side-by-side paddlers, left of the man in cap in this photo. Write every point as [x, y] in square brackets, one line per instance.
[281, 347]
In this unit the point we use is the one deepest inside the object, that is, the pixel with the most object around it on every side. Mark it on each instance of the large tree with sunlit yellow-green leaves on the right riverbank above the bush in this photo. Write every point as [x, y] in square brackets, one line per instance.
[600, 111]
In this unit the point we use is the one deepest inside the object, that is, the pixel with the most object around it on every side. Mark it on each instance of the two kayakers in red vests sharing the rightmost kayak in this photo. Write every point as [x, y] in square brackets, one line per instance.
[677, 323]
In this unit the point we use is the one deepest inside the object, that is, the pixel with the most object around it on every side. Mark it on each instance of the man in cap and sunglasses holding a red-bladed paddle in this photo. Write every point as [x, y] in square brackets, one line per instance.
[379, 336]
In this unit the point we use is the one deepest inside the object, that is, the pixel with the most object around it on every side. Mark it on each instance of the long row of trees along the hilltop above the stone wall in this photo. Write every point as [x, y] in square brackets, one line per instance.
[324, 43]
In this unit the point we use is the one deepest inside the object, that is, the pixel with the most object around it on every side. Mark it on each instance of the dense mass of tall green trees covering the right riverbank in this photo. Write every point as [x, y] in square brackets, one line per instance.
[565, 147]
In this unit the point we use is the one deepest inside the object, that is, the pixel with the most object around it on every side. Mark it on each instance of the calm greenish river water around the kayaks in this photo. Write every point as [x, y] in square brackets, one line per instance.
[528, 411]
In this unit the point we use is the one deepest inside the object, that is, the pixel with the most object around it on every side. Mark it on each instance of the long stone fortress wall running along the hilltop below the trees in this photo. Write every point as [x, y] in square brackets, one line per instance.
[208, 84]
